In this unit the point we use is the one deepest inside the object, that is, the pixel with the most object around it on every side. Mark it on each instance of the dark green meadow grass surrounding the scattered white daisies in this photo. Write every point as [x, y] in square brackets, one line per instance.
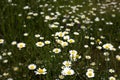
[12, 29]
